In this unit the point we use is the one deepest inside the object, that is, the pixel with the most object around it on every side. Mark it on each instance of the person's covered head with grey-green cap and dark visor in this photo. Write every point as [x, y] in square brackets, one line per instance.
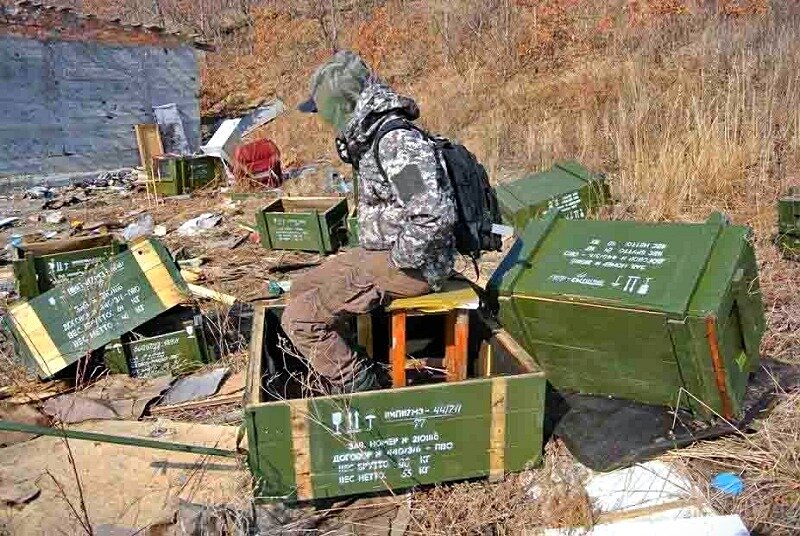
[335, 88]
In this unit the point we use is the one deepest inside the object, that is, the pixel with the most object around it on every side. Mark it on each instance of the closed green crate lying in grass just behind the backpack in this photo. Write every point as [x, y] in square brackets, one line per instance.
[567, 186]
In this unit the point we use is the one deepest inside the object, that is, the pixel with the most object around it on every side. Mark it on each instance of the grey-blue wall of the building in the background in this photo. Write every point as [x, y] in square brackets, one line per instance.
[68, 106]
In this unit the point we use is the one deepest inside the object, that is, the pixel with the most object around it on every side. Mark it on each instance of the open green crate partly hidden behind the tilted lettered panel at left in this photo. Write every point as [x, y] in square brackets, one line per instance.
[39, 266]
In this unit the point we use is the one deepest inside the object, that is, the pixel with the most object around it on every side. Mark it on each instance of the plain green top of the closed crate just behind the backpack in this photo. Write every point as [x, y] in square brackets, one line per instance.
[562, 178]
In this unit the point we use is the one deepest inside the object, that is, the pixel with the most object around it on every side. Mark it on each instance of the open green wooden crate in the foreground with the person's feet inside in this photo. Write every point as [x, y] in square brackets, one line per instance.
[329, 446]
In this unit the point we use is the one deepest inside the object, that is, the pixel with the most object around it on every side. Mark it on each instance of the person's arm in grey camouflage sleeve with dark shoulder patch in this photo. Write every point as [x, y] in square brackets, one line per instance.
[410, 164]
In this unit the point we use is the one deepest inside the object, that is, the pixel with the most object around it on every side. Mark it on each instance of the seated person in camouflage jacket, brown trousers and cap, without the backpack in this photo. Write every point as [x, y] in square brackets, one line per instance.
[406, 218]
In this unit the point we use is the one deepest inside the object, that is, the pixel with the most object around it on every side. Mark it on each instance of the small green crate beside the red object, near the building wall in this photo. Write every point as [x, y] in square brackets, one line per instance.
[176, 175]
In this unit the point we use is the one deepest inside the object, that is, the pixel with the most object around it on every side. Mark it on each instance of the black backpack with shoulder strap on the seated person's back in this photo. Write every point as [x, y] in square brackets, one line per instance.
[476, 203]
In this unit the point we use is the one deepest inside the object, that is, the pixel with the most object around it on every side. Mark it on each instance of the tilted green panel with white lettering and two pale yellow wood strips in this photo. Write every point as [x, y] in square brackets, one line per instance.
[57, 328]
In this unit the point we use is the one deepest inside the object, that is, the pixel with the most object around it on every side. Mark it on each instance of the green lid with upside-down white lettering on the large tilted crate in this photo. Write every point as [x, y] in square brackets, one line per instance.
[654, 266]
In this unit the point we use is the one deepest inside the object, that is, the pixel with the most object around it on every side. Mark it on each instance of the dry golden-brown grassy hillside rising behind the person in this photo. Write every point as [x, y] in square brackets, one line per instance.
[689, 107]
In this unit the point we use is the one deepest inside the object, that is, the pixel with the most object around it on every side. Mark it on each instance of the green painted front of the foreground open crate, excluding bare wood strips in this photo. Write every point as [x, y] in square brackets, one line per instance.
[419, 435]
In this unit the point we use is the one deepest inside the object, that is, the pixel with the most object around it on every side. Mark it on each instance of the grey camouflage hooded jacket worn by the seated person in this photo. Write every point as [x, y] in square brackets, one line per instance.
[412, 210]
